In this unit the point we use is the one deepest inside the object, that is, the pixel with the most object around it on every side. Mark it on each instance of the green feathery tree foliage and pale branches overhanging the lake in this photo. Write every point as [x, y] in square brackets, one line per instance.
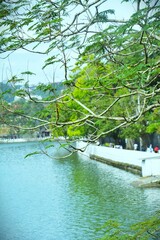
[115, 79]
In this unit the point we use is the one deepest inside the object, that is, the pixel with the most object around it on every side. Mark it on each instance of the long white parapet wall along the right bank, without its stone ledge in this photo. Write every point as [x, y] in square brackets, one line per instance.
[148, 163]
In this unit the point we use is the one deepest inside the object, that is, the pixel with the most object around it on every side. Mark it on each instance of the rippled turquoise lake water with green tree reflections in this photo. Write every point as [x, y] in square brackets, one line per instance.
[50, 199]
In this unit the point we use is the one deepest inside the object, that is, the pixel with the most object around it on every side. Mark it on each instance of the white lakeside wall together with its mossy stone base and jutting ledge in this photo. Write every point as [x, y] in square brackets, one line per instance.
[144, 164]
